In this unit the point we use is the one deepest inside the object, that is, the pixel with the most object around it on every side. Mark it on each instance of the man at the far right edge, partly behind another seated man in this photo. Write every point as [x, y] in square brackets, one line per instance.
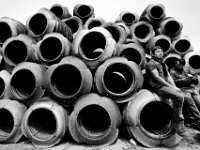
[188, 84]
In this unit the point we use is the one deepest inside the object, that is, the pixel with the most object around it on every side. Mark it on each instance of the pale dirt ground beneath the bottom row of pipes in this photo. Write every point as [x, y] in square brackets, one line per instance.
[190, 142]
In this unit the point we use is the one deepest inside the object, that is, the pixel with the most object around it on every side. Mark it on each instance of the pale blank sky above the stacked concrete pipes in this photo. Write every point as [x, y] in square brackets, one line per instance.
[185, 11]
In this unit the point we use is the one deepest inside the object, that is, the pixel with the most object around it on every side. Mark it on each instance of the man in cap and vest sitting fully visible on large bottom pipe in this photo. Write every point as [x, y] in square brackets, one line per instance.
[160, 82]
